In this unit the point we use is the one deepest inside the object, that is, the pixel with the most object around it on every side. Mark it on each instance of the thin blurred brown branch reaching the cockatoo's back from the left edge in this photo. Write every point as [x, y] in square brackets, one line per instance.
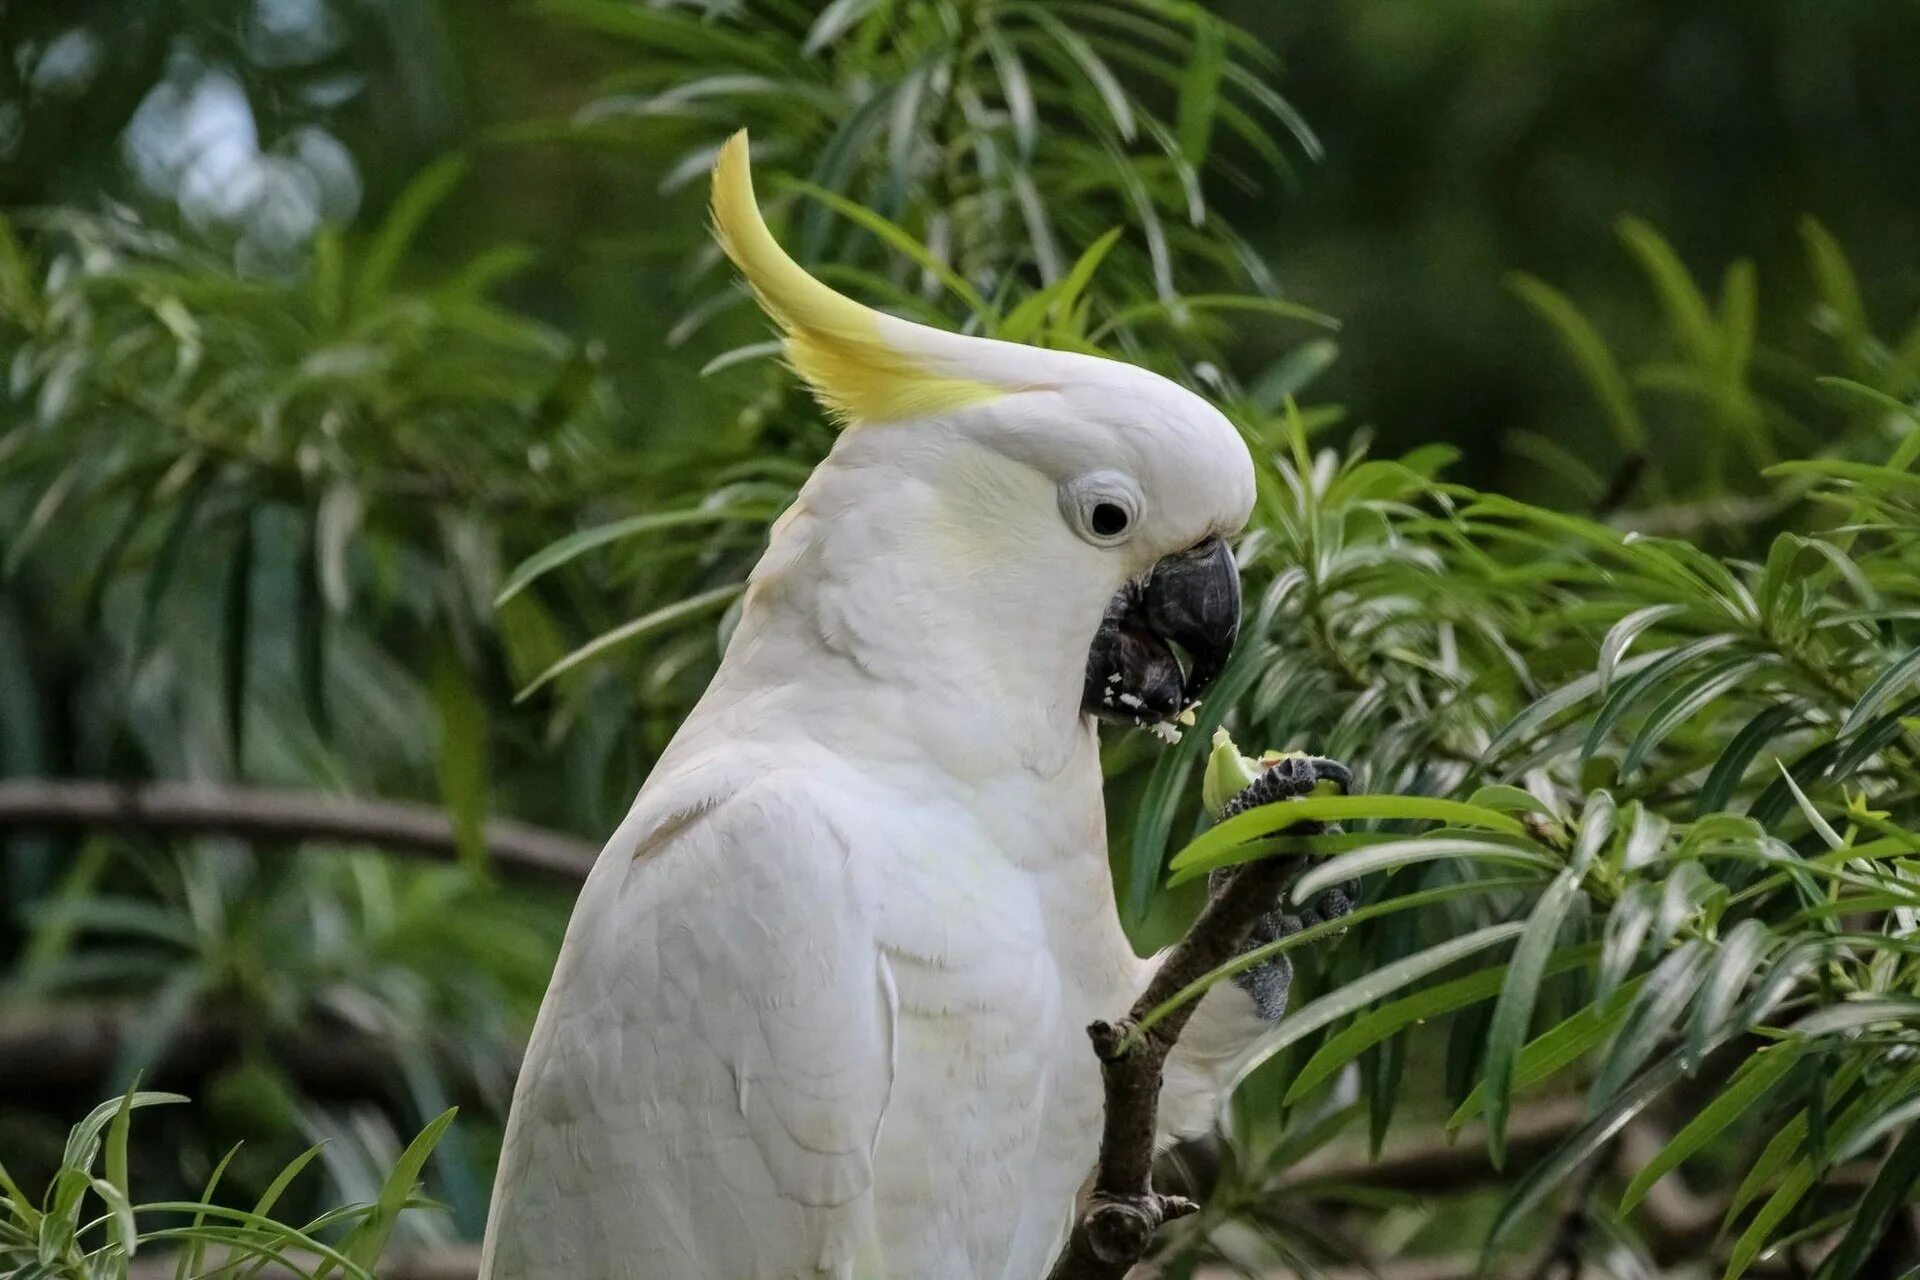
[260, 815]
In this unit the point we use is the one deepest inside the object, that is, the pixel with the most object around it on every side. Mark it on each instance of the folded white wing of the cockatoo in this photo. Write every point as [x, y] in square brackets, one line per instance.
[709, 1072]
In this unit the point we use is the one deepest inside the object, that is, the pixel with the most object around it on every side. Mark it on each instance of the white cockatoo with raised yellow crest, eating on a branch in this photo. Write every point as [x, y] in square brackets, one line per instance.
[821, 1010]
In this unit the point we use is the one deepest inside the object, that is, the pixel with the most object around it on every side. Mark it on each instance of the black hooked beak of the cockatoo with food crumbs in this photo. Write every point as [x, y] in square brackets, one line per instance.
[1188, 602]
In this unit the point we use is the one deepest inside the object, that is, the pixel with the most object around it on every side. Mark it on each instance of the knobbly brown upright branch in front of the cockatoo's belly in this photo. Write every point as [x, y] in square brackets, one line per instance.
[1124, 1212]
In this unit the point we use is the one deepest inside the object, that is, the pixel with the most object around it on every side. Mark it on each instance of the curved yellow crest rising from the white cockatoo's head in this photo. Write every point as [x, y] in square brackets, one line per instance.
[834, 343]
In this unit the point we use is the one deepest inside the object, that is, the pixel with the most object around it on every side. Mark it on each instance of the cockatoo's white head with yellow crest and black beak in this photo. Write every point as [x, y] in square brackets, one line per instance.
[1093, 496]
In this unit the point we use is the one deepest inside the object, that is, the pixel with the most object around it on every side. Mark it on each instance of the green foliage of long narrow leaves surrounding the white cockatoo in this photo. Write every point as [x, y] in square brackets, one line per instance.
[1639, 818]
